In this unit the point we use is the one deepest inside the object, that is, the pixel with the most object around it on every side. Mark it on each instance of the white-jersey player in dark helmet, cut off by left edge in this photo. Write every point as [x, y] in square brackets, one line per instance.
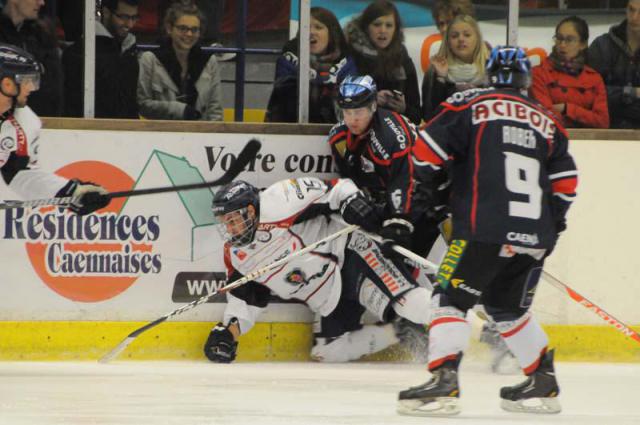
[19, 138]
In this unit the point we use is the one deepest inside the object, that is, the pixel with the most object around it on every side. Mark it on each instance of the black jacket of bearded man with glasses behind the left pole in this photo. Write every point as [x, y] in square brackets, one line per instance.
[116, 77]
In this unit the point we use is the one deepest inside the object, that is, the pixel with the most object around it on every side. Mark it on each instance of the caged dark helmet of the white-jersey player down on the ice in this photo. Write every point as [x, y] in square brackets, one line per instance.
[231, 208]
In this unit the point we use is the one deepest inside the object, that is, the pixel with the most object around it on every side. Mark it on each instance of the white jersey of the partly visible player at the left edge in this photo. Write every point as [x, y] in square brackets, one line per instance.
[19, 142]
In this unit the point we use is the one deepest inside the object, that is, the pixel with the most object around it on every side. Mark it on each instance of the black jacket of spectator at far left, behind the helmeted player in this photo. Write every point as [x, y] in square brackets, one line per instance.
[36, 38]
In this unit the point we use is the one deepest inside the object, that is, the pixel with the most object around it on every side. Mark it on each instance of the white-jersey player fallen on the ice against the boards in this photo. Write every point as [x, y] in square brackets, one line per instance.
[338, 280]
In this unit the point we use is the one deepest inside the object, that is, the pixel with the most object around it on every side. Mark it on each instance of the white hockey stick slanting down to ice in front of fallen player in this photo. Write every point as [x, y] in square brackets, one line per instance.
[250, 276]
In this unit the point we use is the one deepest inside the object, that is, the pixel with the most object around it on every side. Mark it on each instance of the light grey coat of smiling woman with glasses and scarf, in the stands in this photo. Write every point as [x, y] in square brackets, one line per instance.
[163, 95]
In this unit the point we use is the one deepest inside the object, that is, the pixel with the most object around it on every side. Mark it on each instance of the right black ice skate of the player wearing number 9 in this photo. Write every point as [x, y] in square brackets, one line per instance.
[538, 394]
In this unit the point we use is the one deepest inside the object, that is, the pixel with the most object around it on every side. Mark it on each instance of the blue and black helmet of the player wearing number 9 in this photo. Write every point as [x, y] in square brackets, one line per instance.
[508, 66]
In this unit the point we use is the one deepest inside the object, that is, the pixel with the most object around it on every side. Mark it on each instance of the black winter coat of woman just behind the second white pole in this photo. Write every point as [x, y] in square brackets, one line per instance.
[323, 86]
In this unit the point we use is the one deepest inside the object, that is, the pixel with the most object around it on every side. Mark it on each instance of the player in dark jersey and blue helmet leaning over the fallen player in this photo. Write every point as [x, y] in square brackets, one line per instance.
[372, 146]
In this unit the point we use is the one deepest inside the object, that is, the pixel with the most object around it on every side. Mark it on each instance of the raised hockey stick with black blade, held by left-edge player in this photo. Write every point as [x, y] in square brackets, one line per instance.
[245, 157]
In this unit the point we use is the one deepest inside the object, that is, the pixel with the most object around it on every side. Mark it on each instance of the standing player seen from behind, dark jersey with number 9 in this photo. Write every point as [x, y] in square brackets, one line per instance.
[512, 182]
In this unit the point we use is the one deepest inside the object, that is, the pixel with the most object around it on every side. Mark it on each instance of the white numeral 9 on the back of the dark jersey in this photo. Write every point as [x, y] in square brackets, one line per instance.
[522, 174]
